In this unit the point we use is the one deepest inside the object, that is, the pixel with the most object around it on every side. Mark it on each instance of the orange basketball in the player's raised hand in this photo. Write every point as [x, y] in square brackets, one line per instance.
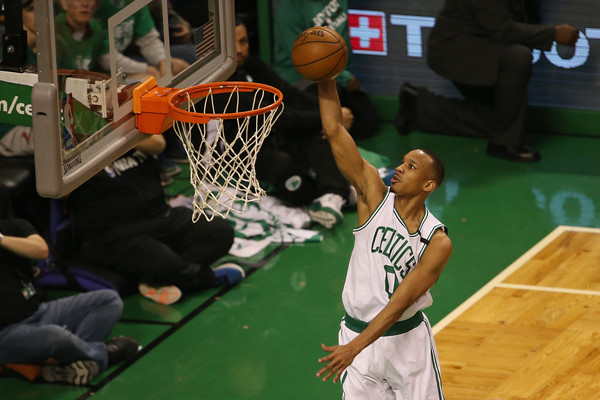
[319, 53]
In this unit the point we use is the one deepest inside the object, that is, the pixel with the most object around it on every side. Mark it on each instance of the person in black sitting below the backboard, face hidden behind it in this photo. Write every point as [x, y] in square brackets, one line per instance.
[125, 224]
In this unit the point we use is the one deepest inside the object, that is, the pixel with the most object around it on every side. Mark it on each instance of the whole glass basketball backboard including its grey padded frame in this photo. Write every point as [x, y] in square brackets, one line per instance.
[82, 102]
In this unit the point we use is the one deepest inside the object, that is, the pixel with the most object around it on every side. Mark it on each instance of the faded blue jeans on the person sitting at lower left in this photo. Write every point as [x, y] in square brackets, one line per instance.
[66, 330]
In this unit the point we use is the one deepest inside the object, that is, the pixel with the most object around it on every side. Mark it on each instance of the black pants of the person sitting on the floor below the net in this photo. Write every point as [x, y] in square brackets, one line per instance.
[165, 250]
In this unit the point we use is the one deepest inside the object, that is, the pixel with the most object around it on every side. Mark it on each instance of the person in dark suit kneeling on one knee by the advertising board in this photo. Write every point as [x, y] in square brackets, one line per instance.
[484, 48]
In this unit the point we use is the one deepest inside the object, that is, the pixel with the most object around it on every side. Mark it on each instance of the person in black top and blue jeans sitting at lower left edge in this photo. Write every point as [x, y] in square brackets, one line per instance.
[70, 331]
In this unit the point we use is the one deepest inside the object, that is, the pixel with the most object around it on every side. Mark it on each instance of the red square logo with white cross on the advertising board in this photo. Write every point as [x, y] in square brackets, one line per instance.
[367, 32]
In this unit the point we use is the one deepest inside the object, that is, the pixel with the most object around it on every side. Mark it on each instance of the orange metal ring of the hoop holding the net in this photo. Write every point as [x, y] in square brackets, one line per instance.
[176, 98]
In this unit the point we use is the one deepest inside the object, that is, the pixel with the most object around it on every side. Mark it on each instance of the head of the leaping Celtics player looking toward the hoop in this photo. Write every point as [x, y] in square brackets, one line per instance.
[421, 172]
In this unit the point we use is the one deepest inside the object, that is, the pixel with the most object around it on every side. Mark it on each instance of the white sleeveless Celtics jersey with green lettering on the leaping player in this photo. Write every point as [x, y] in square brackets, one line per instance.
[384, 252]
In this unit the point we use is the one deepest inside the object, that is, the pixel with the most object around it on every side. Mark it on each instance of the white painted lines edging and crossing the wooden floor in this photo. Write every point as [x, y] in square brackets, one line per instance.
[497, 280]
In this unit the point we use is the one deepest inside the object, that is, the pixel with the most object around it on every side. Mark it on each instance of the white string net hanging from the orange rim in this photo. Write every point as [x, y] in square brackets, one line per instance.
[223, 152]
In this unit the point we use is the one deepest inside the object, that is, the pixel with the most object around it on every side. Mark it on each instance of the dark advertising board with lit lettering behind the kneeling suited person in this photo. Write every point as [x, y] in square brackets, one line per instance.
[389, 40]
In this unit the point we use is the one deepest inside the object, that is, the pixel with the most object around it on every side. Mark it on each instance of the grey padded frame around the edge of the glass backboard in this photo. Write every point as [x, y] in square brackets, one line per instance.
[60, 170]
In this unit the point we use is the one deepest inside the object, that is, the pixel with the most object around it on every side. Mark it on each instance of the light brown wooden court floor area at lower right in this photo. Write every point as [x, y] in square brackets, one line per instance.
[533, 332]
